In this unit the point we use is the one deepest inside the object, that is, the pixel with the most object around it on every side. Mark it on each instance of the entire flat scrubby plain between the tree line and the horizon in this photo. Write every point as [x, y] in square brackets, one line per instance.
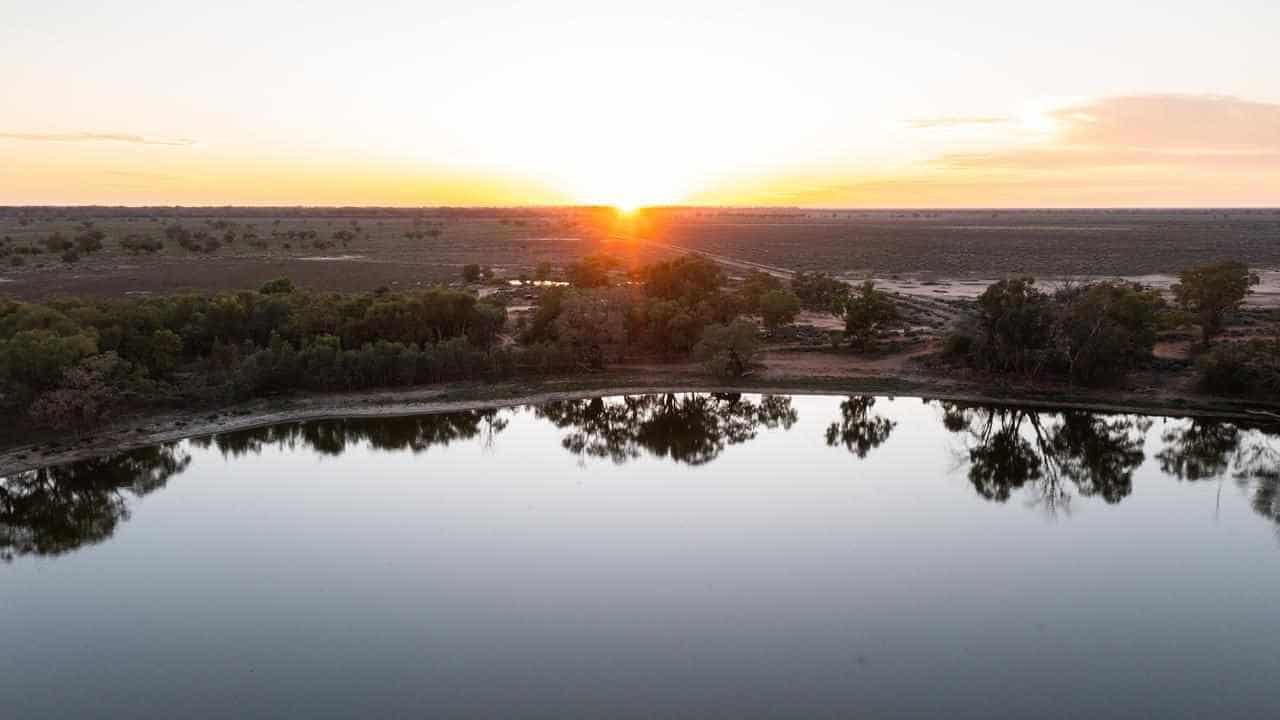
[940, 253]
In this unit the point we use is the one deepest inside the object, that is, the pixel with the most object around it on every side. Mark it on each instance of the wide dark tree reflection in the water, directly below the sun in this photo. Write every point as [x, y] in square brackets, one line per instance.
[691, 429]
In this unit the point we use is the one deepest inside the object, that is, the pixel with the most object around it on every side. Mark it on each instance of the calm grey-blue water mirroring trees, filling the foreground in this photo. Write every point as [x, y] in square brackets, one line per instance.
[656, 557]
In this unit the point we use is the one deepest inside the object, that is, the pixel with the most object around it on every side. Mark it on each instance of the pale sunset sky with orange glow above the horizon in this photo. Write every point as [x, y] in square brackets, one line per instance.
[808, 103]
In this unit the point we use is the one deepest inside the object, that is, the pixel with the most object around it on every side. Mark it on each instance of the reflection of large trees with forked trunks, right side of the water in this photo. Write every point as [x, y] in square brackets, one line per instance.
[1054, 455]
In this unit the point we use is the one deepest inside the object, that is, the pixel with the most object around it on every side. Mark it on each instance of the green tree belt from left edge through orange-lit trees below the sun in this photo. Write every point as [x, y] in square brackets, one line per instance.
[70, 363]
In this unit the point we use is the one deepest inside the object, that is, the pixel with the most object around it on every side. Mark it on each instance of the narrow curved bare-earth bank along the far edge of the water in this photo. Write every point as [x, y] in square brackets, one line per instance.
[781, 379]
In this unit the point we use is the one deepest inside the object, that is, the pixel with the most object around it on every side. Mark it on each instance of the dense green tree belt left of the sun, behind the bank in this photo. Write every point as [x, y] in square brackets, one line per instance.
[70, 363]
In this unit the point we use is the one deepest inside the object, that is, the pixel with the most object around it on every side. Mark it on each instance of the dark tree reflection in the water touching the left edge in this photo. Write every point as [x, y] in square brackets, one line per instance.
[61, 509]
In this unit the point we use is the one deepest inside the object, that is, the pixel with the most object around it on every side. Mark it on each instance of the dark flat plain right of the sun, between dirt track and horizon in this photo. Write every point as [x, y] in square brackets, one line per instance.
[981, 244]
